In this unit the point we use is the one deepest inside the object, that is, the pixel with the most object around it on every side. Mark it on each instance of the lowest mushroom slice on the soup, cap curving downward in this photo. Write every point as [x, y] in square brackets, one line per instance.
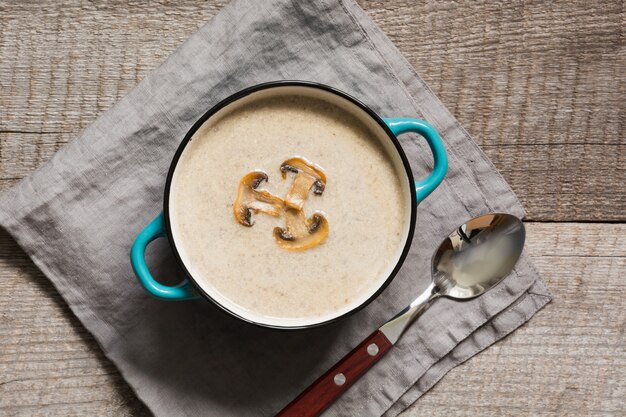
[301, 233]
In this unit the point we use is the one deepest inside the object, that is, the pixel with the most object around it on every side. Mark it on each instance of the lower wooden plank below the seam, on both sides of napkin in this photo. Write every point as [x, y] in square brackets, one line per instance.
[569, 359]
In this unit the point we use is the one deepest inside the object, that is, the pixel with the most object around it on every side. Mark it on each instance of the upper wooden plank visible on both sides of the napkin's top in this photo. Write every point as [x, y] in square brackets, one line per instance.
[538, 85]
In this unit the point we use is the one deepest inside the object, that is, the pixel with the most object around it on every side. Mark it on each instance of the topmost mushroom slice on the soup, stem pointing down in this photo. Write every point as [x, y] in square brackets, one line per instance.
[308, 176]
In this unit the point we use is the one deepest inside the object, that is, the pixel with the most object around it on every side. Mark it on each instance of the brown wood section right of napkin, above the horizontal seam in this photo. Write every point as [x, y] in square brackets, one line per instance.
[537, 85]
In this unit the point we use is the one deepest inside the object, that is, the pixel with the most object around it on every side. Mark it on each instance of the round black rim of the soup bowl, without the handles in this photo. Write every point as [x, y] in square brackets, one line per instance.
[290, 83]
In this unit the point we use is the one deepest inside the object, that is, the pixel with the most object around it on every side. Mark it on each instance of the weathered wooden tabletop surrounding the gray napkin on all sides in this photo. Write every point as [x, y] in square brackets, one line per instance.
[541, 87]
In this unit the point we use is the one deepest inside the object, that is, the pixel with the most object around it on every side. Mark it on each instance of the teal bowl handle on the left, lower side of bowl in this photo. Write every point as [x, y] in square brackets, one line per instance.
[155, 230]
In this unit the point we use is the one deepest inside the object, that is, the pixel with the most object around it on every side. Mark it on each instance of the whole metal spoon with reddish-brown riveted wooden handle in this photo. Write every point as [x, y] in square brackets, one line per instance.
[472, 259]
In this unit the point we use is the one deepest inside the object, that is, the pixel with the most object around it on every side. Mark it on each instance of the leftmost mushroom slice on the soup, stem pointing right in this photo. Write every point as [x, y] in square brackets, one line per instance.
[251, 201]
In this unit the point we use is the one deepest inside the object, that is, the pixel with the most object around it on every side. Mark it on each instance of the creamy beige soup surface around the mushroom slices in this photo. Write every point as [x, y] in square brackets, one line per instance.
[364, 202]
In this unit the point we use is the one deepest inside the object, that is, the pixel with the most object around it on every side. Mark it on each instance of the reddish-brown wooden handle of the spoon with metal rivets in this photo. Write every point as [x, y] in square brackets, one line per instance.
[327, 388]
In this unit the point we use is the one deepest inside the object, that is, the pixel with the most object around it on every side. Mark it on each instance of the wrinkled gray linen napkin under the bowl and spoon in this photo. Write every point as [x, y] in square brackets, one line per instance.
[78, 215]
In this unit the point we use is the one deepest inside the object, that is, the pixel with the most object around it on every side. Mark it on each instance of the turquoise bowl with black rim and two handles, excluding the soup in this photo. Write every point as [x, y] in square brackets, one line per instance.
[187, 289]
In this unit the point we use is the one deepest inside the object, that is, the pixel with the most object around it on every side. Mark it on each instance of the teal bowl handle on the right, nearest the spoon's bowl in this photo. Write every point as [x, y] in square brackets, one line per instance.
[426, 186]
